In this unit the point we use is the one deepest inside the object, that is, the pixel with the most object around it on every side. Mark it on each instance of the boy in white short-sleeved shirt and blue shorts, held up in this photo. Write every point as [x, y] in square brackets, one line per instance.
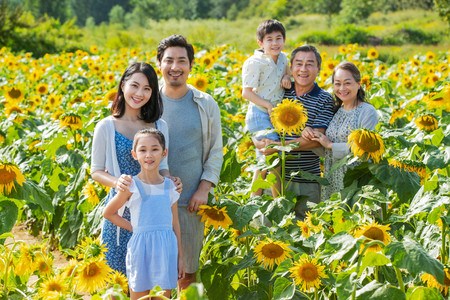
[264, 75]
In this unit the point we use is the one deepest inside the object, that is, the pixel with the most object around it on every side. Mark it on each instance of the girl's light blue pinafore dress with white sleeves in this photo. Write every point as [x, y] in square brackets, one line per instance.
[152, 252]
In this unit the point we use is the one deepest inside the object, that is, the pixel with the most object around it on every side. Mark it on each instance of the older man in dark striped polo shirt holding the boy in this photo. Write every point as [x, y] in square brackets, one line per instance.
[305, 66]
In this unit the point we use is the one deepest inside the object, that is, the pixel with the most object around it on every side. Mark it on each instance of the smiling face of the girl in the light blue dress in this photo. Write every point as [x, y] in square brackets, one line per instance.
[149, 152]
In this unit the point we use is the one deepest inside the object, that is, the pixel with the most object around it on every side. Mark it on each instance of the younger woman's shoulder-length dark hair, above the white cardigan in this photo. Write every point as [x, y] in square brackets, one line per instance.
[153, 109]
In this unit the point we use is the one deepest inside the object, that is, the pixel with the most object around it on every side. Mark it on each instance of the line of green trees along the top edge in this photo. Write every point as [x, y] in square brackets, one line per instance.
[138, 11]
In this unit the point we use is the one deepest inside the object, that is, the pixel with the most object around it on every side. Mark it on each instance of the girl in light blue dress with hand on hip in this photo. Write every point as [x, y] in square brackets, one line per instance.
[154, 250]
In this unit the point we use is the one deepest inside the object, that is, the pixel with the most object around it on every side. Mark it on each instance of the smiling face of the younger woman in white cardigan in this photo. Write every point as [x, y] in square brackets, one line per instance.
[136, 91]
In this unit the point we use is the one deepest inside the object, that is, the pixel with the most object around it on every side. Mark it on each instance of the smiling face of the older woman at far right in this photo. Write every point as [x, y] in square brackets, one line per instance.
[345, 87]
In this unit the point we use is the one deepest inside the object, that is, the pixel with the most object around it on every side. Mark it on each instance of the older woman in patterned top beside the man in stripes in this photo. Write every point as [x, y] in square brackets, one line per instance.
[352, 112]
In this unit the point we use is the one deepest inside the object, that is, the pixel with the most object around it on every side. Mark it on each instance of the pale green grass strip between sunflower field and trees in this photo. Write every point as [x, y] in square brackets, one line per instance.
[241, 34]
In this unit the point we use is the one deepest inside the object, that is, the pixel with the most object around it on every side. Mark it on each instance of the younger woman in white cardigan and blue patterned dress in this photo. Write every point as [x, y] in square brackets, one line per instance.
[137, 106]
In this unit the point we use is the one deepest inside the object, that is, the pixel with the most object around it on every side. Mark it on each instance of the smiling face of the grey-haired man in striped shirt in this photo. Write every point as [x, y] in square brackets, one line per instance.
[305, 69]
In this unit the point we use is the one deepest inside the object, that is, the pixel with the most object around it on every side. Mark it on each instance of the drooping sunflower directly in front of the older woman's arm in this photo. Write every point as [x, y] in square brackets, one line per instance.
[366, 142]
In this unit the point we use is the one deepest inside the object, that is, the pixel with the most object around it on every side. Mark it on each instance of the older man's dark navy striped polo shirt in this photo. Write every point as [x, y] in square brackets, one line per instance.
[319, 107]
